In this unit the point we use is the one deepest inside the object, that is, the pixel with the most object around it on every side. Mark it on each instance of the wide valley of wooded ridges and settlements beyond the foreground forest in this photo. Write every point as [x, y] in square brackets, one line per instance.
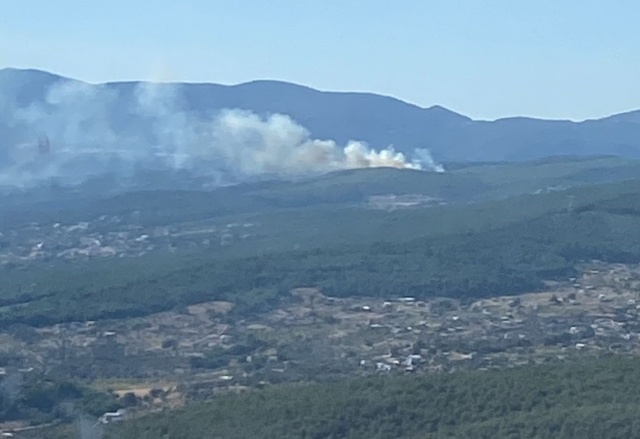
[147, 302]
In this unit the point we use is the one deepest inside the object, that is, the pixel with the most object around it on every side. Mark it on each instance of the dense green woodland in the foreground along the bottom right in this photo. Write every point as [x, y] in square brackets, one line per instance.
[585, 398]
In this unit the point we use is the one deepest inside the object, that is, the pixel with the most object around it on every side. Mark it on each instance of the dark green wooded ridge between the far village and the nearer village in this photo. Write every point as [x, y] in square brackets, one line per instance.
[505, 256]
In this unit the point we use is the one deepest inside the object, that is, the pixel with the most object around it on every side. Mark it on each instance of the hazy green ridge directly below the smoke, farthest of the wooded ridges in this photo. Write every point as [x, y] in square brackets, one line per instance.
[464, 183]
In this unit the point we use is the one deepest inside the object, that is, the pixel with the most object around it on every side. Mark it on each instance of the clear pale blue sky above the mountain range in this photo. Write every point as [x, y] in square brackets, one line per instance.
[557, 59]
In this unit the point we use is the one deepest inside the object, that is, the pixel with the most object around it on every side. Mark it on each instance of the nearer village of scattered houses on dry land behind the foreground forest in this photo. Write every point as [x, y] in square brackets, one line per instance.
[190, 354]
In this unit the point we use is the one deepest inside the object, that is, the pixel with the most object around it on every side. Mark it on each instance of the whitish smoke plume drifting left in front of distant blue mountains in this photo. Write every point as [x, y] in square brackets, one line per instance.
[98, 130]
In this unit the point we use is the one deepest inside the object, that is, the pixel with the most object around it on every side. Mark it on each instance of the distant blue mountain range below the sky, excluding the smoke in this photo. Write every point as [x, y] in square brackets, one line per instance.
[378, 120]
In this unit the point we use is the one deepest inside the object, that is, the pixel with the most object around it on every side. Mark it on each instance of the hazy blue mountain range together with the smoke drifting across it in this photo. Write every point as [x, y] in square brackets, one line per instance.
[233, 133]
